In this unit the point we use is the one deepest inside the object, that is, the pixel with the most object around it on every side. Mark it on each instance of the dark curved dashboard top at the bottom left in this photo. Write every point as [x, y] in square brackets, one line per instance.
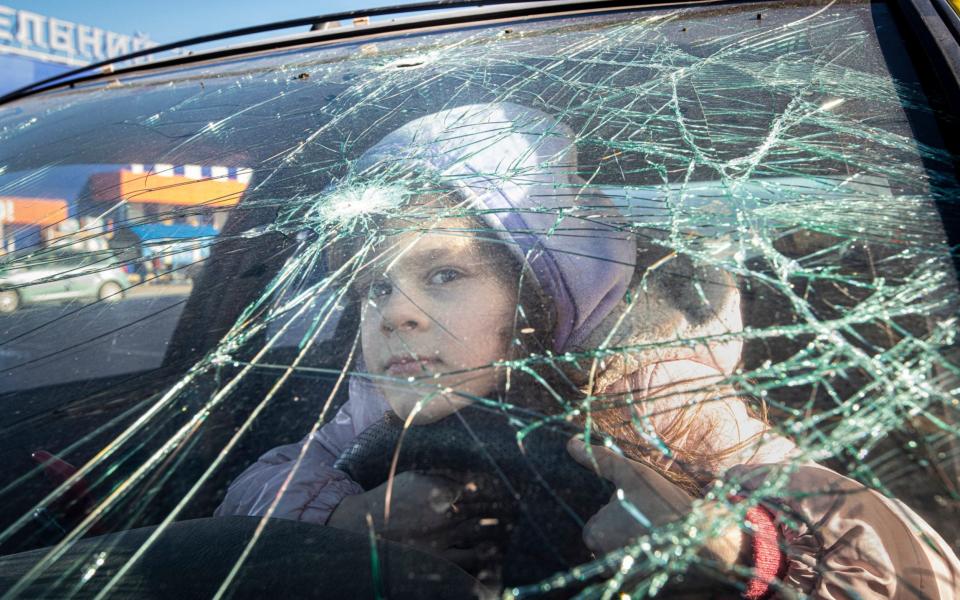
[192, 559]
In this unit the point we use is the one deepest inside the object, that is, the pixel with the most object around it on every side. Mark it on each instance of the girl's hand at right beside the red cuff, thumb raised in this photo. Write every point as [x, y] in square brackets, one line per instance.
[656, 499]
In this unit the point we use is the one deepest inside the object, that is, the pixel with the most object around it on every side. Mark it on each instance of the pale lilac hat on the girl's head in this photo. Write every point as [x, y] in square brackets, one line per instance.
[517, 167]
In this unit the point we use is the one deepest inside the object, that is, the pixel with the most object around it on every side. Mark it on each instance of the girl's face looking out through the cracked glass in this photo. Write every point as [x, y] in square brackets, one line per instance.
[437, 312]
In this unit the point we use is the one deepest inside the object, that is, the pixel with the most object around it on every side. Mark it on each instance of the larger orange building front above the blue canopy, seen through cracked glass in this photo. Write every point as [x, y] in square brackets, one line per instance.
[165, 189]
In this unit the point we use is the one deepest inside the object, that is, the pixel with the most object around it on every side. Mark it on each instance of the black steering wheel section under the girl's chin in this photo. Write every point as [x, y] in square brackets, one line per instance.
[547, 494]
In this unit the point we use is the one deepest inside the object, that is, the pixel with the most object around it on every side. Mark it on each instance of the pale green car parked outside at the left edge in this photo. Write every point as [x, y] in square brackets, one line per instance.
[59, 277]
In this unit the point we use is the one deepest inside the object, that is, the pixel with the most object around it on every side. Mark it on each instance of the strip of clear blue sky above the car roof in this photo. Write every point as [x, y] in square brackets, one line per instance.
[172, 20]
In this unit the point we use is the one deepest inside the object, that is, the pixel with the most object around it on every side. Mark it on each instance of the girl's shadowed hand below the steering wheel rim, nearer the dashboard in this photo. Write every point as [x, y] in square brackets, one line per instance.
[431, 512]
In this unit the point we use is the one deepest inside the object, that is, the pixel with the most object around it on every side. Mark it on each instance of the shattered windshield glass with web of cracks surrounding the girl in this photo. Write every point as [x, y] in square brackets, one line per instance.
[790, 154]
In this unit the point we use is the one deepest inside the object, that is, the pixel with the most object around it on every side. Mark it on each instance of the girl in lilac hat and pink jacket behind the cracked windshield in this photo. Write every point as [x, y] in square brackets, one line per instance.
[679, 425]
